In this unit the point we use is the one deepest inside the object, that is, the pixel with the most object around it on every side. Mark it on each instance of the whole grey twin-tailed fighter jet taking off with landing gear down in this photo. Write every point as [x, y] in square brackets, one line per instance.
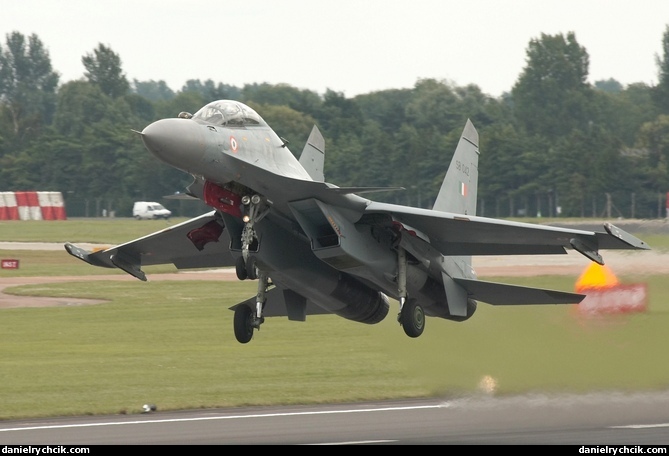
[316, 248]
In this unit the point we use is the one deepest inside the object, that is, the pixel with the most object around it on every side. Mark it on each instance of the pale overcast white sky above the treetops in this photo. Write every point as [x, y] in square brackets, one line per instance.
[348, 46]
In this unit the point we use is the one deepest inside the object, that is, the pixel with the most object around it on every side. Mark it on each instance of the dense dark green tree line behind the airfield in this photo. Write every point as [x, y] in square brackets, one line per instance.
[553, 145]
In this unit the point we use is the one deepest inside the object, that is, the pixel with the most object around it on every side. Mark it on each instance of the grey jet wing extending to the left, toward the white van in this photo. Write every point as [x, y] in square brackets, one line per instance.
[201, 242]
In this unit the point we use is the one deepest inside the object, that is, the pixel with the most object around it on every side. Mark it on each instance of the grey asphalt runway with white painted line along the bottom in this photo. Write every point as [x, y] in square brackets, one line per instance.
[592, 419]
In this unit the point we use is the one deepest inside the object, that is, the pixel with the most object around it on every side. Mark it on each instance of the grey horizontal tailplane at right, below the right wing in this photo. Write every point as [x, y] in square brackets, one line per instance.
[502, 294]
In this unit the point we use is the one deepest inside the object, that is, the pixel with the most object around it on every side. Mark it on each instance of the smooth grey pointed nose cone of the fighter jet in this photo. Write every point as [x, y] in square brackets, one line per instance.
[177, 142]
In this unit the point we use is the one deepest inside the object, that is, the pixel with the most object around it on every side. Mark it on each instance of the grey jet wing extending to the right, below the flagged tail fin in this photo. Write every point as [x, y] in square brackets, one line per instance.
[454, 234]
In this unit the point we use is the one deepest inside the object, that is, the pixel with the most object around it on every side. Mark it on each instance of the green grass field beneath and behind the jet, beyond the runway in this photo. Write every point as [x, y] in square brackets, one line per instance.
[171, 343]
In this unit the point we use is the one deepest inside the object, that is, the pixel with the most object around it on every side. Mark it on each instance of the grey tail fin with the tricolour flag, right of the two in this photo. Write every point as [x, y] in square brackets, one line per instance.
[458, 192]
